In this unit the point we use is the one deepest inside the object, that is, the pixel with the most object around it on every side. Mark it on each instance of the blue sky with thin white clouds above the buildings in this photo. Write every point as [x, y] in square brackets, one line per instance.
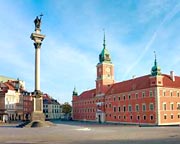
[74, 37]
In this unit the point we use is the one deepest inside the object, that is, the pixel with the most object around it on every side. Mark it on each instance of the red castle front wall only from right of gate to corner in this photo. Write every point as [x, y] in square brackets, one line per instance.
[122, 107]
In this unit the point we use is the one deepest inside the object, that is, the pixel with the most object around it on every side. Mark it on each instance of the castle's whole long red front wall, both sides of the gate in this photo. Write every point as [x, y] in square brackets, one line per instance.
[116, 107]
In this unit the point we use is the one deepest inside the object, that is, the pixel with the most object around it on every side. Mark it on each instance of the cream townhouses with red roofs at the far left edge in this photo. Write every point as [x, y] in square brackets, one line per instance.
[13, 100]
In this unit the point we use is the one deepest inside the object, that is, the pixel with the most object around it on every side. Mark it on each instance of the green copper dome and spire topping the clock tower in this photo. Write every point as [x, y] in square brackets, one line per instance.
[104, 55]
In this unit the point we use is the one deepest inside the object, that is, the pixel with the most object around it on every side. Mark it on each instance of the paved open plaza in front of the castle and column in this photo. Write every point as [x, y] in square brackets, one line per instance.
[89, 133]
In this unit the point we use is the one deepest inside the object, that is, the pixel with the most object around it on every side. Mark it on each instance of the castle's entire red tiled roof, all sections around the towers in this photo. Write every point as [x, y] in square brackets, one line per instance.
[133, 84]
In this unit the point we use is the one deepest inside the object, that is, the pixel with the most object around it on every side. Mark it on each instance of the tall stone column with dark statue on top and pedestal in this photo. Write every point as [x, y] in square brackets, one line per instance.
[37, 37]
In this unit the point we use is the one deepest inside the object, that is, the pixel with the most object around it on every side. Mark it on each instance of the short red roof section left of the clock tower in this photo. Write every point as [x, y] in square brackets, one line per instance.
[87, 94]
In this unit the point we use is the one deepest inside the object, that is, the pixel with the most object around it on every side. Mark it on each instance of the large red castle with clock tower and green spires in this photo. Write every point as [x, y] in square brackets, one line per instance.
[151, 99]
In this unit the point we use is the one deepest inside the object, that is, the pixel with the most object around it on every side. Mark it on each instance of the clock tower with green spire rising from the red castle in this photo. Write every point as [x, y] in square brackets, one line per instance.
[105, 71]
